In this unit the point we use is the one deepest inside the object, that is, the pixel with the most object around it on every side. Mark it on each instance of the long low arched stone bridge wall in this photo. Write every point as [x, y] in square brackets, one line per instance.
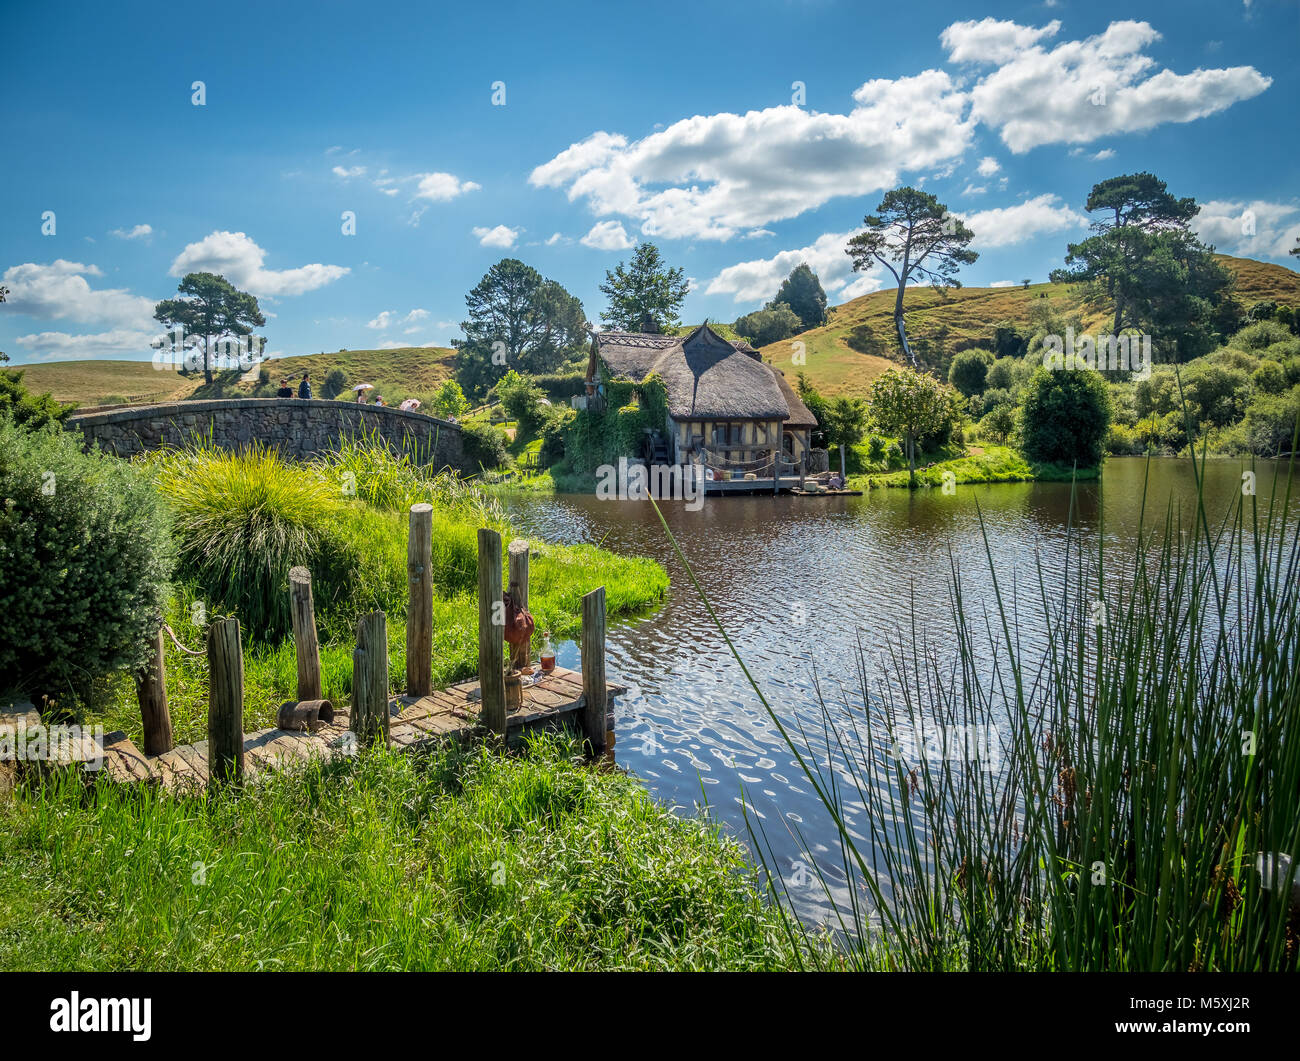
[296, 427]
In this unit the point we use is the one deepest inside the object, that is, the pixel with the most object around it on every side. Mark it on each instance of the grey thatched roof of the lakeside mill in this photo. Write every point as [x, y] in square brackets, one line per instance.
[707, 376]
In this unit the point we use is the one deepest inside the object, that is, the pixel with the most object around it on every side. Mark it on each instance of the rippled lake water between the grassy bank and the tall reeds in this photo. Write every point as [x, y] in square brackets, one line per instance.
[799, 584]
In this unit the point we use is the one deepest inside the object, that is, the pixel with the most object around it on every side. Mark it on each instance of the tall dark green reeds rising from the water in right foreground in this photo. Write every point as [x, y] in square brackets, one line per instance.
[1128, 798]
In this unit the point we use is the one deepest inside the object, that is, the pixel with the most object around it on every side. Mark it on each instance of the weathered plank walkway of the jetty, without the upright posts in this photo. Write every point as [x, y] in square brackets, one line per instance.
[414, 722]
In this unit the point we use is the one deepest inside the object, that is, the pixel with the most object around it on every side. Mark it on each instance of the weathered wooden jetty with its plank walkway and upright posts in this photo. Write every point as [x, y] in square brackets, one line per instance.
[421, 717]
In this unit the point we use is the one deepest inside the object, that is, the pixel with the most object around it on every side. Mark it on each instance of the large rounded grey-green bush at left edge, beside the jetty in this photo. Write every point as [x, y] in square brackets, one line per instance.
[85, 561]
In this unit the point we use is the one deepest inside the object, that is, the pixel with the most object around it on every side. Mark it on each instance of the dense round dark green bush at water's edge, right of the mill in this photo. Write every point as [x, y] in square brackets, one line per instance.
[1065, 417]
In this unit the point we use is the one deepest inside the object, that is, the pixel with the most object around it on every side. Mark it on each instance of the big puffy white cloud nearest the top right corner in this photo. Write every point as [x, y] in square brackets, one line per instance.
[1081, 90]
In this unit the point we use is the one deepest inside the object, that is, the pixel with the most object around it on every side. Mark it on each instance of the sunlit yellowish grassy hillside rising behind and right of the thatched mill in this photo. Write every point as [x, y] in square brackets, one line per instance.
[859, 343]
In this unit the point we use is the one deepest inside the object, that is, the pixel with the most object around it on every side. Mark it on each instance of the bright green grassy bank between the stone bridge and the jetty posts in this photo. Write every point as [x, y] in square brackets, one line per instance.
[242, 521]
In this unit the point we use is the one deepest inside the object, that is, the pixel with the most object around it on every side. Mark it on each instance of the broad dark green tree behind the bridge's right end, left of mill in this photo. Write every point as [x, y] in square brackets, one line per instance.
[518, 321]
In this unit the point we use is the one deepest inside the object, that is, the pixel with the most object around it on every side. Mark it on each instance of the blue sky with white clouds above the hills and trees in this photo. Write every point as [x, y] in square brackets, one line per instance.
[683, 124]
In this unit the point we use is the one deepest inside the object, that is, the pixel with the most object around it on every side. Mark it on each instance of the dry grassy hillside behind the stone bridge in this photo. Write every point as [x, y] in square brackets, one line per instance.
[408, 373]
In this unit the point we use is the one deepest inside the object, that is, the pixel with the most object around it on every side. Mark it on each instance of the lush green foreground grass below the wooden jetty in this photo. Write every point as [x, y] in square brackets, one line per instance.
[456, 861]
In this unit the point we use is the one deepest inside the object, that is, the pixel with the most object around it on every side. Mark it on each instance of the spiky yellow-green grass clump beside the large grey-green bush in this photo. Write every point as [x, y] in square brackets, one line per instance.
[242, 521]
